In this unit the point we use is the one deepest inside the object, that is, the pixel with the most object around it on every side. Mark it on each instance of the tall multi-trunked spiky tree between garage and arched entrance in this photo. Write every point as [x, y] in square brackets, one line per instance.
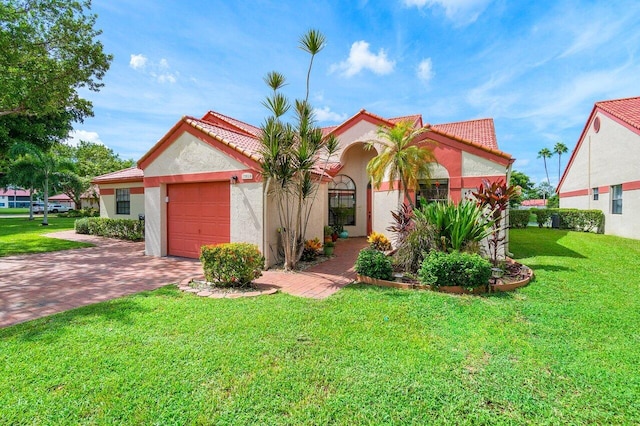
[292, 156]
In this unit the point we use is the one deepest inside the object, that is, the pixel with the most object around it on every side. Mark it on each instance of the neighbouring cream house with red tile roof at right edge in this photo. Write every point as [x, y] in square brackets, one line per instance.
[603, 172]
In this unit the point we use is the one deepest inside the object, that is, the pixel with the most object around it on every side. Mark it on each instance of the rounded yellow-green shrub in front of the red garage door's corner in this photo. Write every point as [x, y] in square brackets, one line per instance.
[231, 264]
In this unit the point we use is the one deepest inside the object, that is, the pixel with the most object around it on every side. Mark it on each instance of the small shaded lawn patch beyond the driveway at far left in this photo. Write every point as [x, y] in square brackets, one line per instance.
[21, 236]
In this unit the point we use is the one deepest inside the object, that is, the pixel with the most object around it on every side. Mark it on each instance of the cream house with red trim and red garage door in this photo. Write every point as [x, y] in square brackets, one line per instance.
[201, 182]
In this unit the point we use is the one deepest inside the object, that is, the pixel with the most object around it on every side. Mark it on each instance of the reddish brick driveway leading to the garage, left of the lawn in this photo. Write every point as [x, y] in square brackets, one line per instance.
[37, 285]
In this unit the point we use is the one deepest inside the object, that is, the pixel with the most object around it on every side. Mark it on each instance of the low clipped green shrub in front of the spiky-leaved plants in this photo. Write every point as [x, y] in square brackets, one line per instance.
[448, 269]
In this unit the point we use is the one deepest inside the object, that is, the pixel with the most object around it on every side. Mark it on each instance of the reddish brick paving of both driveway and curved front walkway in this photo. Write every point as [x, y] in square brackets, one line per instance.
[37, 285]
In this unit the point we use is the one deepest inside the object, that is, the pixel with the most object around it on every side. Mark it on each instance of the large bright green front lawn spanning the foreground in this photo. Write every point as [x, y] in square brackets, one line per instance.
[564, 350]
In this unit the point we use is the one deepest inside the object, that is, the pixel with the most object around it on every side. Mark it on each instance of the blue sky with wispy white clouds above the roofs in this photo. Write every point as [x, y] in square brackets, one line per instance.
[536, 68]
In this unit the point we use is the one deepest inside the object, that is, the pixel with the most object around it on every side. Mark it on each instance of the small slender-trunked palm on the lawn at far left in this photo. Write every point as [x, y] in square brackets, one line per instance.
[51, 168]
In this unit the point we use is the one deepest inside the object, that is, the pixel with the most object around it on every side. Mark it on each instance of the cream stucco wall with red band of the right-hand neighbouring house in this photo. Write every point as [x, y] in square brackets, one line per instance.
[606, 158]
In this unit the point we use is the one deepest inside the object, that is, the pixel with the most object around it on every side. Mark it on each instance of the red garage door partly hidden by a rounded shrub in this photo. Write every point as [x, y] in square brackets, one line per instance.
[197, 214]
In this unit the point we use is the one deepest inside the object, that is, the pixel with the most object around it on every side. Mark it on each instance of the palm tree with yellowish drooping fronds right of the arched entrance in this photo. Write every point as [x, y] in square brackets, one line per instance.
[400, 158]
